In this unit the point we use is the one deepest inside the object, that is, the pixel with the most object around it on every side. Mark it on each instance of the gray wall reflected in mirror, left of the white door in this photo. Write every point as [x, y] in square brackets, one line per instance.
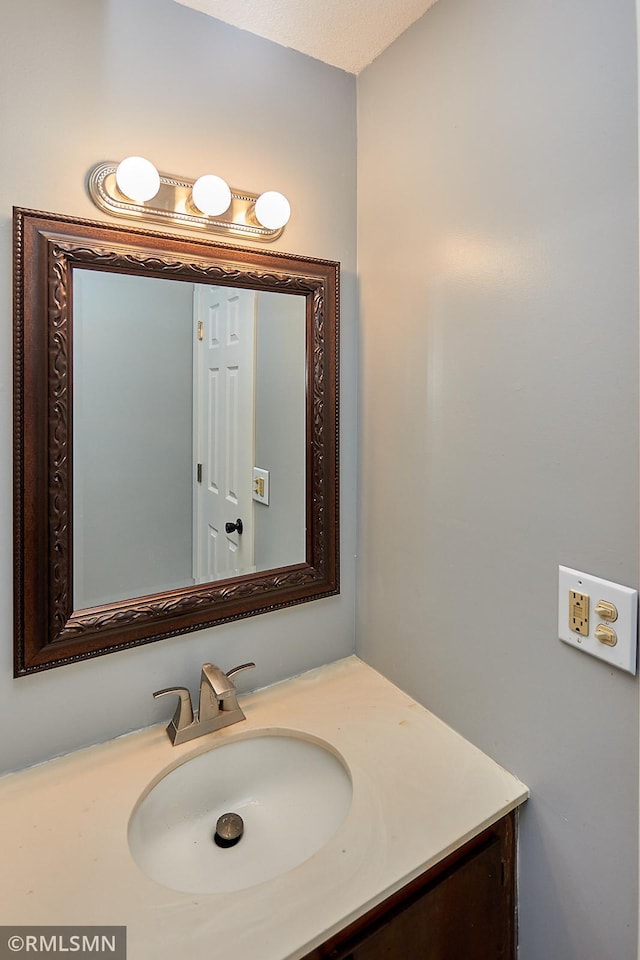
[132, 436]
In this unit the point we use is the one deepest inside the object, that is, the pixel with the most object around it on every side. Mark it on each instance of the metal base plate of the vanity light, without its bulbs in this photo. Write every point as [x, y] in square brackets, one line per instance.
[172, 204]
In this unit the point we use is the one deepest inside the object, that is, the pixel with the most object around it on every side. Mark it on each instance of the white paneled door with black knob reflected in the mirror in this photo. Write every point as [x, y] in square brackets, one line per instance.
[223, 430]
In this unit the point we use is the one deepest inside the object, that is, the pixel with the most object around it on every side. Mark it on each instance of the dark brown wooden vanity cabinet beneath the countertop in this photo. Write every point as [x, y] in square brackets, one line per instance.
[463, 908]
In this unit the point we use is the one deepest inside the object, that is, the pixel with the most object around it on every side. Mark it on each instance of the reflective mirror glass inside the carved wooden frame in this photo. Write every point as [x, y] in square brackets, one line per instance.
[188, 427]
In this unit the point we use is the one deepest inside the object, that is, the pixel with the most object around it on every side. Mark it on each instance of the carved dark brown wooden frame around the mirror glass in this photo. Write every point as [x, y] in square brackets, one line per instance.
[47, 248]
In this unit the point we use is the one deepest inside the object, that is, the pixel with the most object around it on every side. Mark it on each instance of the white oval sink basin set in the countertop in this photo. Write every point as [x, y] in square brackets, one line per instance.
[291, 793]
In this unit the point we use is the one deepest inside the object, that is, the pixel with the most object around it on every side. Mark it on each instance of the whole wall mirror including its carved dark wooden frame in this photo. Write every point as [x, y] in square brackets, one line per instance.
[176, 405]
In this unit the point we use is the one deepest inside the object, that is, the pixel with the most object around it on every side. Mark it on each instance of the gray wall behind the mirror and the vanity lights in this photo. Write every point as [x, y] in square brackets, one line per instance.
[84, 82]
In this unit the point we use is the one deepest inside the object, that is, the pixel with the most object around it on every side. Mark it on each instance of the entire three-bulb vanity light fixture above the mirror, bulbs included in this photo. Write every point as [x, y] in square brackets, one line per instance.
[134, 188]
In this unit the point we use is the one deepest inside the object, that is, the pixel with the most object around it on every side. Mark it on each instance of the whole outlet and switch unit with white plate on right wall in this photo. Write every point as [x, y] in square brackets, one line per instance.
[587, 606]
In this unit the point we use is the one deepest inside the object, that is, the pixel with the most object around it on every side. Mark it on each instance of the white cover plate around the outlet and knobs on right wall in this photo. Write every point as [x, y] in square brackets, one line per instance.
[624, 654]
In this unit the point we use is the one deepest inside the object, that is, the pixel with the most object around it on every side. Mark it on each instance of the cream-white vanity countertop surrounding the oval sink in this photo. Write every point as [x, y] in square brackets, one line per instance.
[419, 791]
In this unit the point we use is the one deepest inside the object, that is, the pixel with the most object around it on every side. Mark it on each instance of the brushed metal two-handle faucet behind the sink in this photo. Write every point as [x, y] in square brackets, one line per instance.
[218, 705]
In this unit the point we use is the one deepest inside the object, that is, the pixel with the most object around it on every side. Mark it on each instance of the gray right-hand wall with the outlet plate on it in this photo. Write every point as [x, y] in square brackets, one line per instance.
[498, 253]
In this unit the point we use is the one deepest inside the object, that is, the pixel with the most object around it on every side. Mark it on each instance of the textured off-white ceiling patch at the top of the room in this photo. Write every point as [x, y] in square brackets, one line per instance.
[345, 33]
